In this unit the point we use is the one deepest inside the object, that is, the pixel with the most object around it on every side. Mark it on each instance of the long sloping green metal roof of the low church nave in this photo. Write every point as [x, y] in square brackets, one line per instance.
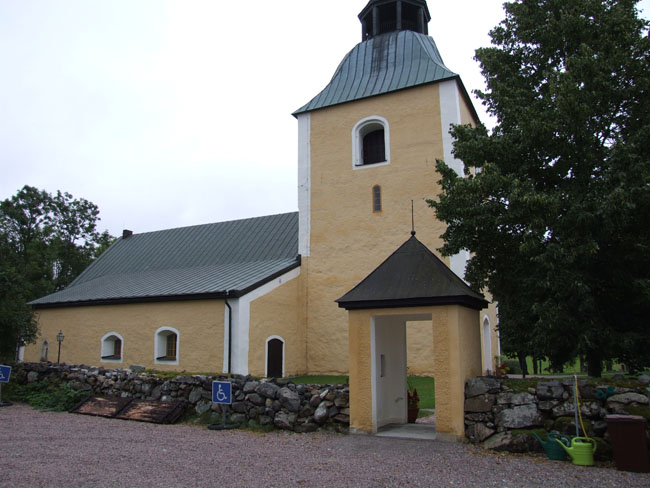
[189, 262]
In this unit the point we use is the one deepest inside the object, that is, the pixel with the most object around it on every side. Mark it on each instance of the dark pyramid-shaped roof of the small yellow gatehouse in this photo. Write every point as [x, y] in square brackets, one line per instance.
[411, 277]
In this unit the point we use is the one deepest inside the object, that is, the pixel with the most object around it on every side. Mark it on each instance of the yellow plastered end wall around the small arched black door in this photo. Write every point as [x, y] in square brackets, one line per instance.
[279, 313]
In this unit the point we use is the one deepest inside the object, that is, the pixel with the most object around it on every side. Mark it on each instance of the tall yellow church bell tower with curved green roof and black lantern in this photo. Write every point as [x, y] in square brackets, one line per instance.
[367, 147]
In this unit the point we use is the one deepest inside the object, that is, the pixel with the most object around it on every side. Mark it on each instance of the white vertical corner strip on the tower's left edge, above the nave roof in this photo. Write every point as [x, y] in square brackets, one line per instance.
[304, 183]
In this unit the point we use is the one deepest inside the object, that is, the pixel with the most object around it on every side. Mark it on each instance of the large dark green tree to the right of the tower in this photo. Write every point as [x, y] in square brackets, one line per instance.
[555, 205]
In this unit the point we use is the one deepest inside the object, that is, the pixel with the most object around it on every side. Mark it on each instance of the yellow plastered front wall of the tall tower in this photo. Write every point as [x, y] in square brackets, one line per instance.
[348, 239]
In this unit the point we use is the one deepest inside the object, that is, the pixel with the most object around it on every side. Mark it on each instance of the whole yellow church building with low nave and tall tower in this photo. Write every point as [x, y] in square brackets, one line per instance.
[259, 296]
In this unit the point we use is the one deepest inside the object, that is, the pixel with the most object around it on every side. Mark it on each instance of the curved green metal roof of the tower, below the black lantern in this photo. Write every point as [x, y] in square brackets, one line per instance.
[383, 64]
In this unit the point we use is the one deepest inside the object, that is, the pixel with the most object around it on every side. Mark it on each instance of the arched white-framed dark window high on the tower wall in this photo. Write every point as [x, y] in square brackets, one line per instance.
[371, 142]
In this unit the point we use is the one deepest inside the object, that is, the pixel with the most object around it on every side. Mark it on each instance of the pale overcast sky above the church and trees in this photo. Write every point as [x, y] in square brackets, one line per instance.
[175, 113]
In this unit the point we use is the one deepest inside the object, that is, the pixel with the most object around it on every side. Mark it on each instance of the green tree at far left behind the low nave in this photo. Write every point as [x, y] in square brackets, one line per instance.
[45, 242]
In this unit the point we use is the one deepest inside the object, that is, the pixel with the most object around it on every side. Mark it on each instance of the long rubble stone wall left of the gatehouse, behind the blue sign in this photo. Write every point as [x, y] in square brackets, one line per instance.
[299, 408]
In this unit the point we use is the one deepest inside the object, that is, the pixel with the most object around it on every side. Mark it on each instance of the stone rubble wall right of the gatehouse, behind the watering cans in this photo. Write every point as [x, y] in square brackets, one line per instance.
[500, 416]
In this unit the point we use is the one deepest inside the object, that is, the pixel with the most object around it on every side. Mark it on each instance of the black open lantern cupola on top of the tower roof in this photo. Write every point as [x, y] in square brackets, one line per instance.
[382, 16]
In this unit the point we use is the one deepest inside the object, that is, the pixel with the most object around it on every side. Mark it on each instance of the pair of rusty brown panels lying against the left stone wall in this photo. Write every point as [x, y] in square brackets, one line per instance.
[153, 411]
